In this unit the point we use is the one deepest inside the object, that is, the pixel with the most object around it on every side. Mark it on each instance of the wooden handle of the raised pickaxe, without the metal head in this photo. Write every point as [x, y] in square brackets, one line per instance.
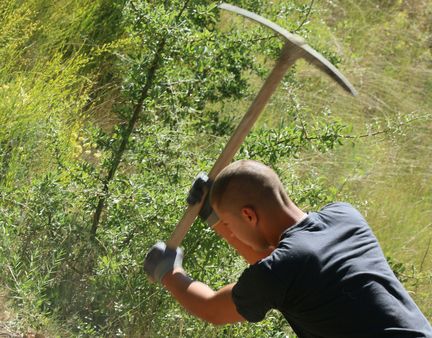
[287, 58]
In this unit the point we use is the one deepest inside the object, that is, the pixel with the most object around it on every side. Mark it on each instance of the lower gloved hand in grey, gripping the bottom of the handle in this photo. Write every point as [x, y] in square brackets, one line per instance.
[160, 259]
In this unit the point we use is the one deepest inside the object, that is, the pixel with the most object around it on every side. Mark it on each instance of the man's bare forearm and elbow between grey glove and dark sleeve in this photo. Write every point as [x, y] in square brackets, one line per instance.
[216, 307]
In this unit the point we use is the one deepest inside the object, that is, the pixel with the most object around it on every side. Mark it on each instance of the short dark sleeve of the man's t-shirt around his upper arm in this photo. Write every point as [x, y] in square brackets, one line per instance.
[256, 292]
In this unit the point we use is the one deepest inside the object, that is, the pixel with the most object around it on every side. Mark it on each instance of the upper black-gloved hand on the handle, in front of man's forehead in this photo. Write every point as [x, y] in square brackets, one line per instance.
[195, 196]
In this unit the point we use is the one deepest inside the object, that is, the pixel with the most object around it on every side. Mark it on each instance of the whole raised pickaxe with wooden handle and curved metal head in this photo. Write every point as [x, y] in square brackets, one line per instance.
[294, 49]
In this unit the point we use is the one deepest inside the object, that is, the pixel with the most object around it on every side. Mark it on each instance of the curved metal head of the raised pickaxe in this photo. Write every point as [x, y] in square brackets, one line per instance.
[308, 53]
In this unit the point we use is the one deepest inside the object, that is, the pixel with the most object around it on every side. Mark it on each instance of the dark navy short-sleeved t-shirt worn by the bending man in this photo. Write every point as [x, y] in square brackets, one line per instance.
[329, 278]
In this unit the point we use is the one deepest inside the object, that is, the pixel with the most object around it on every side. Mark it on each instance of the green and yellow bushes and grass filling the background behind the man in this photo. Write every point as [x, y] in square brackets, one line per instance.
[109, 108]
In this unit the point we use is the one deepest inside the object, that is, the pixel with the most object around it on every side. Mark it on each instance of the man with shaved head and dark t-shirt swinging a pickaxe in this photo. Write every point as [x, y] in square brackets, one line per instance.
[324, 270]
